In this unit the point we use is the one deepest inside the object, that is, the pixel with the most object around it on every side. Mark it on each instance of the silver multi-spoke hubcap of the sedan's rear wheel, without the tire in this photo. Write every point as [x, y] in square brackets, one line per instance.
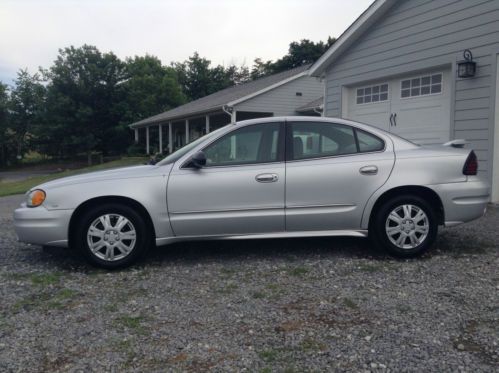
[407, 226]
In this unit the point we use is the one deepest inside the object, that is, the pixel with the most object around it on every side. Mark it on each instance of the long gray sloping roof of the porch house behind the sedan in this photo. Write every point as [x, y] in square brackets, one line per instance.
[229, 96]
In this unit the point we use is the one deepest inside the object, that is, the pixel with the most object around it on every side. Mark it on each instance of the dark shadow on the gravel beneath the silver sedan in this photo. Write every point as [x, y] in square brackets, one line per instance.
[219, 251]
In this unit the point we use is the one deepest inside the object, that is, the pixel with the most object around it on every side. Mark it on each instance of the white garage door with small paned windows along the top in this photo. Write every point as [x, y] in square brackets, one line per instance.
[416, 107]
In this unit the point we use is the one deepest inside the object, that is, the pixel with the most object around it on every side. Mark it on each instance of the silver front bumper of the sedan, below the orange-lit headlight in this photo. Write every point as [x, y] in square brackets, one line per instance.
[41, 226]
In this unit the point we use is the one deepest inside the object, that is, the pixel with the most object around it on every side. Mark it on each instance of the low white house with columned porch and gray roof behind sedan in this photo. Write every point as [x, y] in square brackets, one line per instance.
[290, 92]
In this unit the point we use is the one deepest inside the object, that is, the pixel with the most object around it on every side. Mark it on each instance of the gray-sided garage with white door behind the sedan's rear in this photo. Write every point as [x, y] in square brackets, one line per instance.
[425, 70]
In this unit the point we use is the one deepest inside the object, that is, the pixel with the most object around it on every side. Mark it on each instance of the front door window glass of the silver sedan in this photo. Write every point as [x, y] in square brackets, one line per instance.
[252, 144]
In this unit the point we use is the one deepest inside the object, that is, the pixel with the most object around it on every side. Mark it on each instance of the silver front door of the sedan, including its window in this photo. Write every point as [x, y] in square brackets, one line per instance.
[239, 191]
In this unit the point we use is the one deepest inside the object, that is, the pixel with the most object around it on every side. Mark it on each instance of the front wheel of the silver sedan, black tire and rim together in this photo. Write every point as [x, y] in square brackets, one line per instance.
[112, 236]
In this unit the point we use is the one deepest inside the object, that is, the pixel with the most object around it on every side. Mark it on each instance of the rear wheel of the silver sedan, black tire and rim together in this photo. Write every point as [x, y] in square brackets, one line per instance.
[404, 226]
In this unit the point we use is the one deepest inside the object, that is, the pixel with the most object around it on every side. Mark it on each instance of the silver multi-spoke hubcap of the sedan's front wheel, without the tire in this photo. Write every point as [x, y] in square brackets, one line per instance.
[111, 237]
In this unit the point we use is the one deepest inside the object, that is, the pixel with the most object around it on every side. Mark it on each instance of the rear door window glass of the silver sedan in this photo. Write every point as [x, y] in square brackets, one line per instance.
[320, 139]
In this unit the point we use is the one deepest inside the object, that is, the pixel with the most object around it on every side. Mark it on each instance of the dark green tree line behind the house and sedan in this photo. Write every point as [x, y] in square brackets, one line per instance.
[87, 98]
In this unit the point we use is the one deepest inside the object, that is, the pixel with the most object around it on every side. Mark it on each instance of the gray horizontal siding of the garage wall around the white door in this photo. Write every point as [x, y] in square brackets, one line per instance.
[416, 35]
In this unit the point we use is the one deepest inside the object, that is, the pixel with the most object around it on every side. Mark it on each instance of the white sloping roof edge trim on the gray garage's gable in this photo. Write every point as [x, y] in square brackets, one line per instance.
[372, 14]
